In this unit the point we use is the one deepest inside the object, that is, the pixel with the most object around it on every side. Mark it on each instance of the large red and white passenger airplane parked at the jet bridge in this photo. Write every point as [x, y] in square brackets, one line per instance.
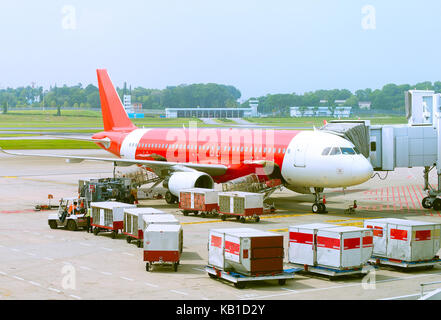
[305, 161]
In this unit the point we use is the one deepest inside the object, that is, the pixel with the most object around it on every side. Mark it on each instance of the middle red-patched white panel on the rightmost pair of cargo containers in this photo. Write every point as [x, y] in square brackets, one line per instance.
[398, 243]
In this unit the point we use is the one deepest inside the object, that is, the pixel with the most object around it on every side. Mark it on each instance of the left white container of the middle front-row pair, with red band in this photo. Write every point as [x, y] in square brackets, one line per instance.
[302, 247]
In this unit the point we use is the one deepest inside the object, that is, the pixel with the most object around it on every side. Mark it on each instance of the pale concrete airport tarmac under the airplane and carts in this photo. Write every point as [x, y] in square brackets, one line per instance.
[37, 262]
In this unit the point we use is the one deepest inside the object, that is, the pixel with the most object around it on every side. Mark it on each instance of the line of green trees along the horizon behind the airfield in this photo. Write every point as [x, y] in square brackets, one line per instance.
[210, 95]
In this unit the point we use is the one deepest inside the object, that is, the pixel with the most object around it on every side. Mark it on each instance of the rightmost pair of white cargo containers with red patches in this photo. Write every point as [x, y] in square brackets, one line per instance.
[405, 240]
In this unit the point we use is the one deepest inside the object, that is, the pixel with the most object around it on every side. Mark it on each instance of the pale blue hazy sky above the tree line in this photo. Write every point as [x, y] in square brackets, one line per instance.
[258, 46]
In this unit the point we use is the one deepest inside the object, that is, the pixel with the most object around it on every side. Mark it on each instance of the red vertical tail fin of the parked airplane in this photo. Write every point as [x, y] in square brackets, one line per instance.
[114, 116]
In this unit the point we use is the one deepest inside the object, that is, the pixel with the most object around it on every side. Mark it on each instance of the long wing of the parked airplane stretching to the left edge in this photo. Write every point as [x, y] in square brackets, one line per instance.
[160, 167]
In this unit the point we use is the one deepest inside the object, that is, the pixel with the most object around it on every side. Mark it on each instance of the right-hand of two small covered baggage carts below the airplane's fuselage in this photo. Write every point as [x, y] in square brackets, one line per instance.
[241, 205]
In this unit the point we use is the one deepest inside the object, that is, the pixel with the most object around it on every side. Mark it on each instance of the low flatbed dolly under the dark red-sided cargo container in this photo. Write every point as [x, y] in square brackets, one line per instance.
[240, 280]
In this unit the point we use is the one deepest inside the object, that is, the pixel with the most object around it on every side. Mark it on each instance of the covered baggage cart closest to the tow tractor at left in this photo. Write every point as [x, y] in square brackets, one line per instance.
[108, 216]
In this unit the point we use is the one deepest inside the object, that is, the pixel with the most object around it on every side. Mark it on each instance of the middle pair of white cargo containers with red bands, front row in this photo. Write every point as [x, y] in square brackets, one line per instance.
[330, 246]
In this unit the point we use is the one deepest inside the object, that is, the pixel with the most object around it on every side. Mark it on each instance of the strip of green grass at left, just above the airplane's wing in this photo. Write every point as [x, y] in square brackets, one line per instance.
[46, 144]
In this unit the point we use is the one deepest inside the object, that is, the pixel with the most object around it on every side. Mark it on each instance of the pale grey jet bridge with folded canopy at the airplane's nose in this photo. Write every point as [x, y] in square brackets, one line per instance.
[415, 144]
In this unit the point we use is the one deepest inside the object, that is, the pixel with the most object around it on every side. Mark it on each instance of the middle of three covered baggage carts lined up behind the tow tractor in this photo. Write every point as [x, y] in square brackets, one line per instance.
[134, 224]
